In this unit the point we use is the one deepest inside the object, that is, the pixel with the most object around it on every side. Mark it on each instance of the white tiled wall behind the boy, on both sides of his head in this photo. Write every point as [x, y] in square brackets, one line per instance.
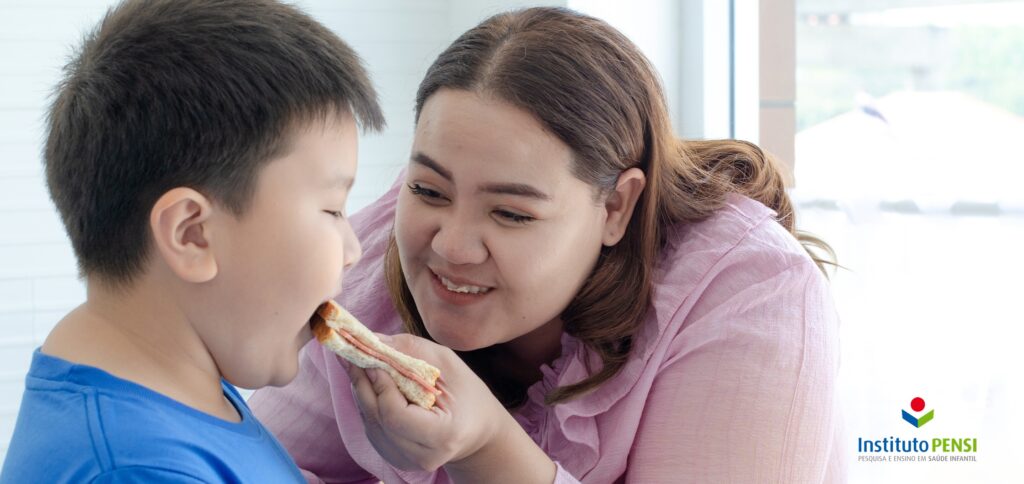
[399, 39]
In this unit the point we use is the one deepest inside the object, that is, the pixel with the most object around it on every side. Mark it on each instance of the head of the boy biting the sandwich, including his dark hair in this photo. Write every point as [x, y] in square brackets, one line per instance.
[211, 145]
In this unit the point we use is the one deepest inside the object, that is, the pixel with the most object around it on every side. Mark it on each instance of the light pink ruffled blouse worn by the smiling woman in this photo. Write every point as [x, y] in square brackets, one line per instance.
[733, 378]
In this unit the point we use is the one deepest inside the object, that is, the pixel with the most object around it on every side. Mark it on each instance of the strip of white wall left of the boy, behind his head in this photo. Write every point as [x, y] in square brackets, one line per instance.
[38, 280]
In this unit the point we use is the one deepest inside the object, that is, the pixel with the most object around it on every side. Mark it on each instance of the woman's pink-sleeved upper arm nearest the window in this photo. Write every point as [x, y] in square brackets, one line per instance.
[749, 395]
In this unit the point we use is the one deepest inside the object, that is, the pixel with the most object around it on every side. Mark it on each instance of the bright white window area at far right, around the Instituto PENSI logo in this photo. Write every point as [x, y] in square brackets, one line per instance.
[909, 116]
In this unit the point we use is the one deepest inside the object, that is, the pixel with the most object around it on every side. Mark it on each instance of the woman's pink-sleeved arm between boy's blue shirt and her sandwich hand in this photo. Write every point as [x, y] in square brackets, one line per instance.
[302, 417]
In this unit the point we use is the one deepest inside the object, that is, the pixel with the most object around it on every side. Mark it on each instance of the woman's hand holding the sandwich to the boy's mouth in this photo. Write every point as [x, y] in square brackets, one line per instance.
[466, 419]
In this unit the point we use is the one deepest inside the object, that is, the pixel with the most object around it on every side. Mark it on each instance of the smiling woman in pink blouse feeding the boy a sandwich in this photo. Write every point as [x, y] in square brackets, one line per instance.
[622, 305]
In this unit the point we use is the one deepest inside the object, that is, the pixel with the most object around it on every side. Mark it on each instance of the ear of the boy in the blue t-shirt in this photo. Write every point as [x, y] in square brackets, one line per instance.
[180, 222]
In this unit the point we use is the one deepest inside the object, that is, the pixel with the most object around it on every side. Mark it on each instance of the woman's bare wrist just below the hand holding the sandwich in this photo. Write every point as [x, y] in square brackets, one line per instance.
[510, 456]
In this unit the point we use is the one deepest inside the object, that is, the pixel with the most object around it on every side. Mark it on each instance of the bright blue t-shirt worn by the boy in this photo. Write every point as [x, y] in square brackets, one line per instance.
[80, 424]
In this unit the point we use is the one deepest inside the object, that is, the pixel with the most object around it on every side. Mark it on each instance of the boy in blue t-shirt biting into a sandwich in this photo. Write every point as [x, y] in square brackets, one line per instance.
[200, 154]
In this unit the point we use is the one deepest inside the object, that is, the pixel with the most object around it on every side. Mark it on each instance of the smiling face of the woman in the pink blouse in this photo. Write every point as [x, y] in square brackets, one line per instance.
[496, 236]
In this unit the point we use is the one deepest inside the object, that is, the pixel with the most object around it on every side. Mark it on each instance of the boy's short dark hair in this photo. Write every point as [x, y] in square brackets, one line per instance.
[190, 94]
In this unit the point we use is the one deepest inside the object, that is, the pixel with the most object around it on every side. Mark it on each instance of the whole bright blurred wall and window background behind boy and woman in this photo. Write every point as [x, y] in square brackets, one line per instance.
[900, 122]
